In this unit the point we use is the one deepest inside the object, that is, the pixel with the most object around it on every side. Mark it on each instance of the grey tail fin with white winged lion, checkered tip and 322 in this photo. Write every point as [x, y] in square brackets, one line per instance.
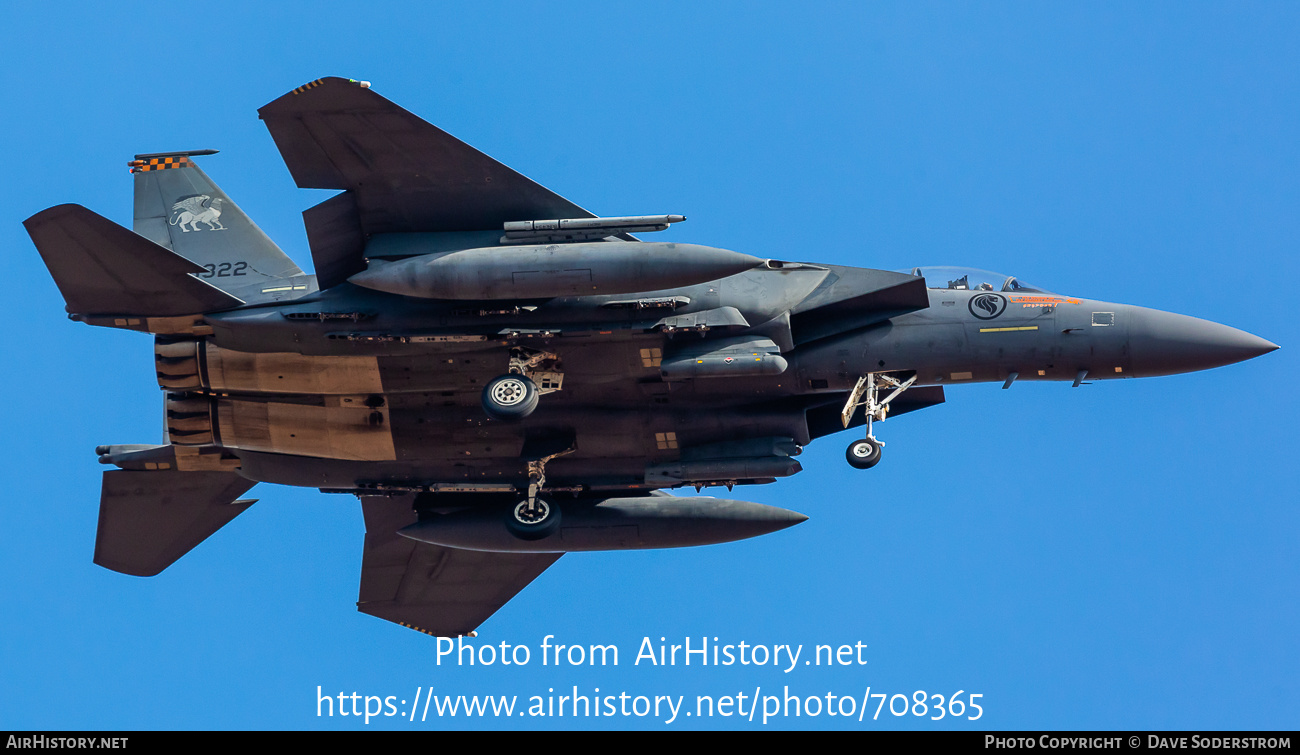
[179, 207]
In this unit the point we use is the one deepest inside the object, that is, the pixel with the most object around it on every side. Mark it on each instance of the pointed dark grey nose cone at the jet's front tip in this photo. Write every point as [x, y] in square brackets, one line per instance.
[1168, 344]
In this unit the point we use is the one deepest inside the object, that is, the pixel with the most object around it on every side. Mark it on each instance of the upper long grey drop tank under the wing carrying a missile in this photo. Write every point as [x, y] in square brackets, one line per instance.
[543, 272]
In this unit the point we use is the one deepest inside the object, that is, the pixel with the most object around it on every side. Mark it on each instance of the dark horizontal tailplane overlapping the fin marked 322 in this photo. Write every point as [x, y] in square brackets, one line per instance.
[103, 268]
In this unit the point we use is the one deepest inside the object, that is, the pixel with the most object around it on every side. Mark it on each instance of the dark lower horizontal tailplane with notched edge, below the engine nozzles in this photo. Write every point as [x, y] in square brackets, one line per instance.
[148, 520]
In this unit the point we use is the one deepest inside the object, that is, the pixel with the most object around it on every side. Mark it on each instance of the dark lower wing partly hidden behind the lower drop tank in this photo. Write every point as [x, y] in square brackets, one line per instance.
[432, 589]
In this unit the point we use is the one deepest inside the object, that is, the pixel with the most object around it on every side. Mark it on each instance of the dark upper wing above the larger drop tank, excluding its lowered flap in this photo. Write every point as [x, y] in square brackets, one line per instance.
[406, 173]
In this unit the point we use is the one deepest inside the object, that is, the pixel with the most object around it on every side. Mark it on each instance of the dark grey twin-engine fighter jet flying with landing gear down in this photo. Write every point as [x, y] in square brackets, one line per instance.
[502, 377]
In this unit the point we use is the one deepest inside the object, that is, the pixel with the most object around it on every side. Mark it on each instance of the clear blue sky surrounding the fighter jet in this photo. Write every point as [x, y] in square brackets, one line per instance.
[1119, 557]
